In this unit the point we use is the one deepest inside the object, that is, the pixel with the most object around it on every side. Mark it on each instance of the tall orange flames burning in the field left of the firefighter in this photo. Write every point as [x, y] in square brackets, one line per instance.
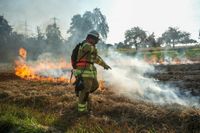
[30, 72]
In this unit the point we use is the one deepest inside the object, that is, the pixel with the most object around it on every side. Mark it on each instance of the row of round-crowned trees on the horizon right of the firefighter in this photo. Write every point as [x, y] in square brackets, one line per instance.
[136, 37]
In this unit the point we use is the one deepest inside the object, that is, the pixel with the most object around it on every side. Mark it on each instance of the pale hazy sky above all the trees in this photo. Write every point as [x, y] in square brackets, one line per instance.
[151, 15]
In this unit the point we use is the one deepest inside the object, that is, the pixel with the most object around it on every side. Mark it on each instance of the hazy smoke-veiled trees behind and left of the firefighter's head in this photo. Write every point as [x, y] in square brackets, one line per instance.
[51, 40]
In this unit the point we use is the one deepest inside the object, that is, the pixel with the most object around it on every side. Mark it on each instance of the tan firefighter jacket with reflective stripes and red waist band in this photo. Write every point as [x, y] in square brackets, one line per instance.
[87, 57]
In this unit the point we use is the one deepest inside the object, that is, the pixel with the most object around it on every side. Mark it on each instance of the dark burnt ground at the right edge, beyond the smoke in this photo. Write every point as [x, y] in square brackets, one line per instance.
[184, 76]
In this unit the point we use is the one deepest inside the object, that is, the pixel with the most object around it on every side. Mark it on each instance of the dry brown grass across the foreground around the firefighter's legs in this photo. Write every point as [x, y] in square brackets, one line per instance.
[111, 112]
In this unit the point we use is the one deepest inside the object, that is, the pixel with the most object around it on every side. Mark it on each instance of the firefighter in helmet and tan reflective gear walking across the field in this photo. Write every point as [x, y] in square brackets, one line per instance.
[86, 71]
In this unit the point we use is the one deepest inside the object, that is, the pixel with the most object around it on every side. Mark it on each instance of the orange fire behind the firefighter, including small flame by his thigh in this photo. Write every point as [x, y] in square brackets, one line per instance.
[33, 70]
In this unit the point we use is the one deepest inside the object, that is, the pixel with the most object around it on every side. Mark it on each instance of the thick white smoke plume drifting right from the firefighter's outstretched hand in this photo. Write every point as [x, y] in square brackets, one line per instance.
[128, 79]
